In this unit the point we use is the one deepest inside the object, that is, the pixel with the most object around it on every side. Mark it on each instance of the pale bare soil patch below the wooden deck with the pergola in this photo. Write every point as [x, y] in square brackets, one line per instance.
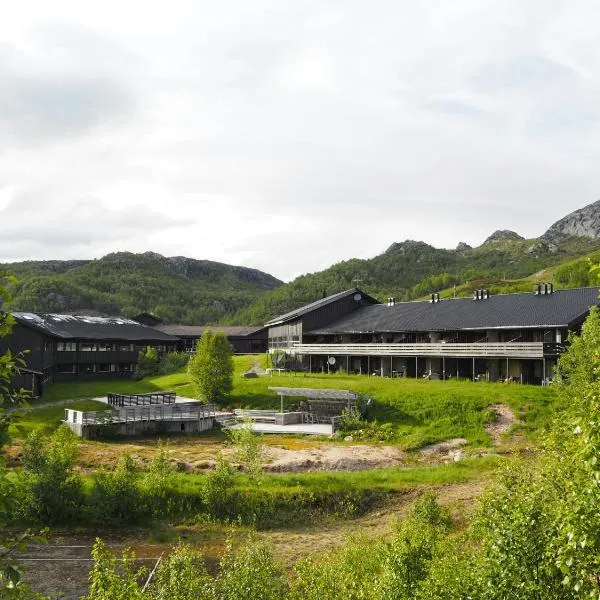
[333, 458]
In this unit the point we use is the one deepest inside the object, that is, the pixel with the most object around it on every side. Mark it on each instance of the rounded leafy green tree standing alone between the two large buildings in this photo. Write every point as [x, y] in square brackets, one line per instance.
[211, 367]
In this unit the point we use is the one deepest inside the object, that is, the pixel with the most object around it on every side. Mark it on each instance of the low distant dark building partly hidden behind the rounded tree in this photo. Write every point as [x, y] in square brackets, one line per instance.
[245, 340]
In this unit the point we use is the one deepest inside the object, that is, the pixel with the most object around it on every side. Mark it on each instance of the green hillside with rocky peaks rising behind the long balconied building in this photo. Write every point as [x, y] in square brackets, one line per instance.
[410, 270]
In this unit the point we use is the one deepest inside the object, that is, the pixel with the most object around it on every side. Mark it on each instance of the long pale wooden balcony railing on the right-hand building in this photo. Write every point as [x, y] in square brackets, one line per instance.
[490, 350]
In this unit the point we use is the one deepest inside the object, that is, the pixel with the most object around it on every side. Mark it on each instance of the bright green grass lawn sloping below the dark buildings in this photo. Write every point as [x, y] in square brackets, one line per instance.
[420, 411]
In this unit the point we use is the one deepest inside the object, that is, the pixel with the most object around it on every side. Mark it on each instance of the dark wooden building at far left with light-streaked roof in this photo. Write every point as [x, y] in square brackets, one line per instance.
[71, 347]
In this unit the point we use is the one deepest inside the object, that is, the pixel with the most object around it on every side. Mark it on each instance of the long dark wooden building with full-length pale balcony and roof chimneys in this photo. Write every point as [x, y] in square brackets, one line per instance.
[515, 337]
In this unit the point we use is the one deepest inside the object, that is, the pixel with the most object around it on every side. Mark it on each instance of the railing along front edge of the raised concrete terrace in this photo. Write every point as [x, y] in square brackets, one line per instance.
[157, 412]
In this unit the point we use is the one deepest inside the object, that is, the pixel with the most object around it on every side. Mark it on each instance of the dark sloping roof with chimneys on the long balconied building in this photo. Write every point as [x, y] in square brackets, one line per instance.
[508, 311]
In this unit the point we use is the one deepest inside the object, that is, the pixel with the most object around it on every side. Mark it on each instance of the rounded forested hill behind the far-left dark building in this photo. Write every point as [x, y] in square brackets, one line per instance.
[177, 289]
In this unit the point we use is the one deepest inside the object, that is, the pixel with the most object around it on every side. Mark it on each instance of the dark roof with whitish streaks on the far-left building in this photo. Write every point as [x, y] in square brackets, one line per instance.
[79, 327]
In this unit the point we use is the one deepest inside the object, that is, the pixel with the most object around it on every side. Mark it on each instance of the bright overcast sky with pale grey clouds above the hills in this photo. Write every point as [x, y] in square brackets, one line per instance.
[289, 135]
